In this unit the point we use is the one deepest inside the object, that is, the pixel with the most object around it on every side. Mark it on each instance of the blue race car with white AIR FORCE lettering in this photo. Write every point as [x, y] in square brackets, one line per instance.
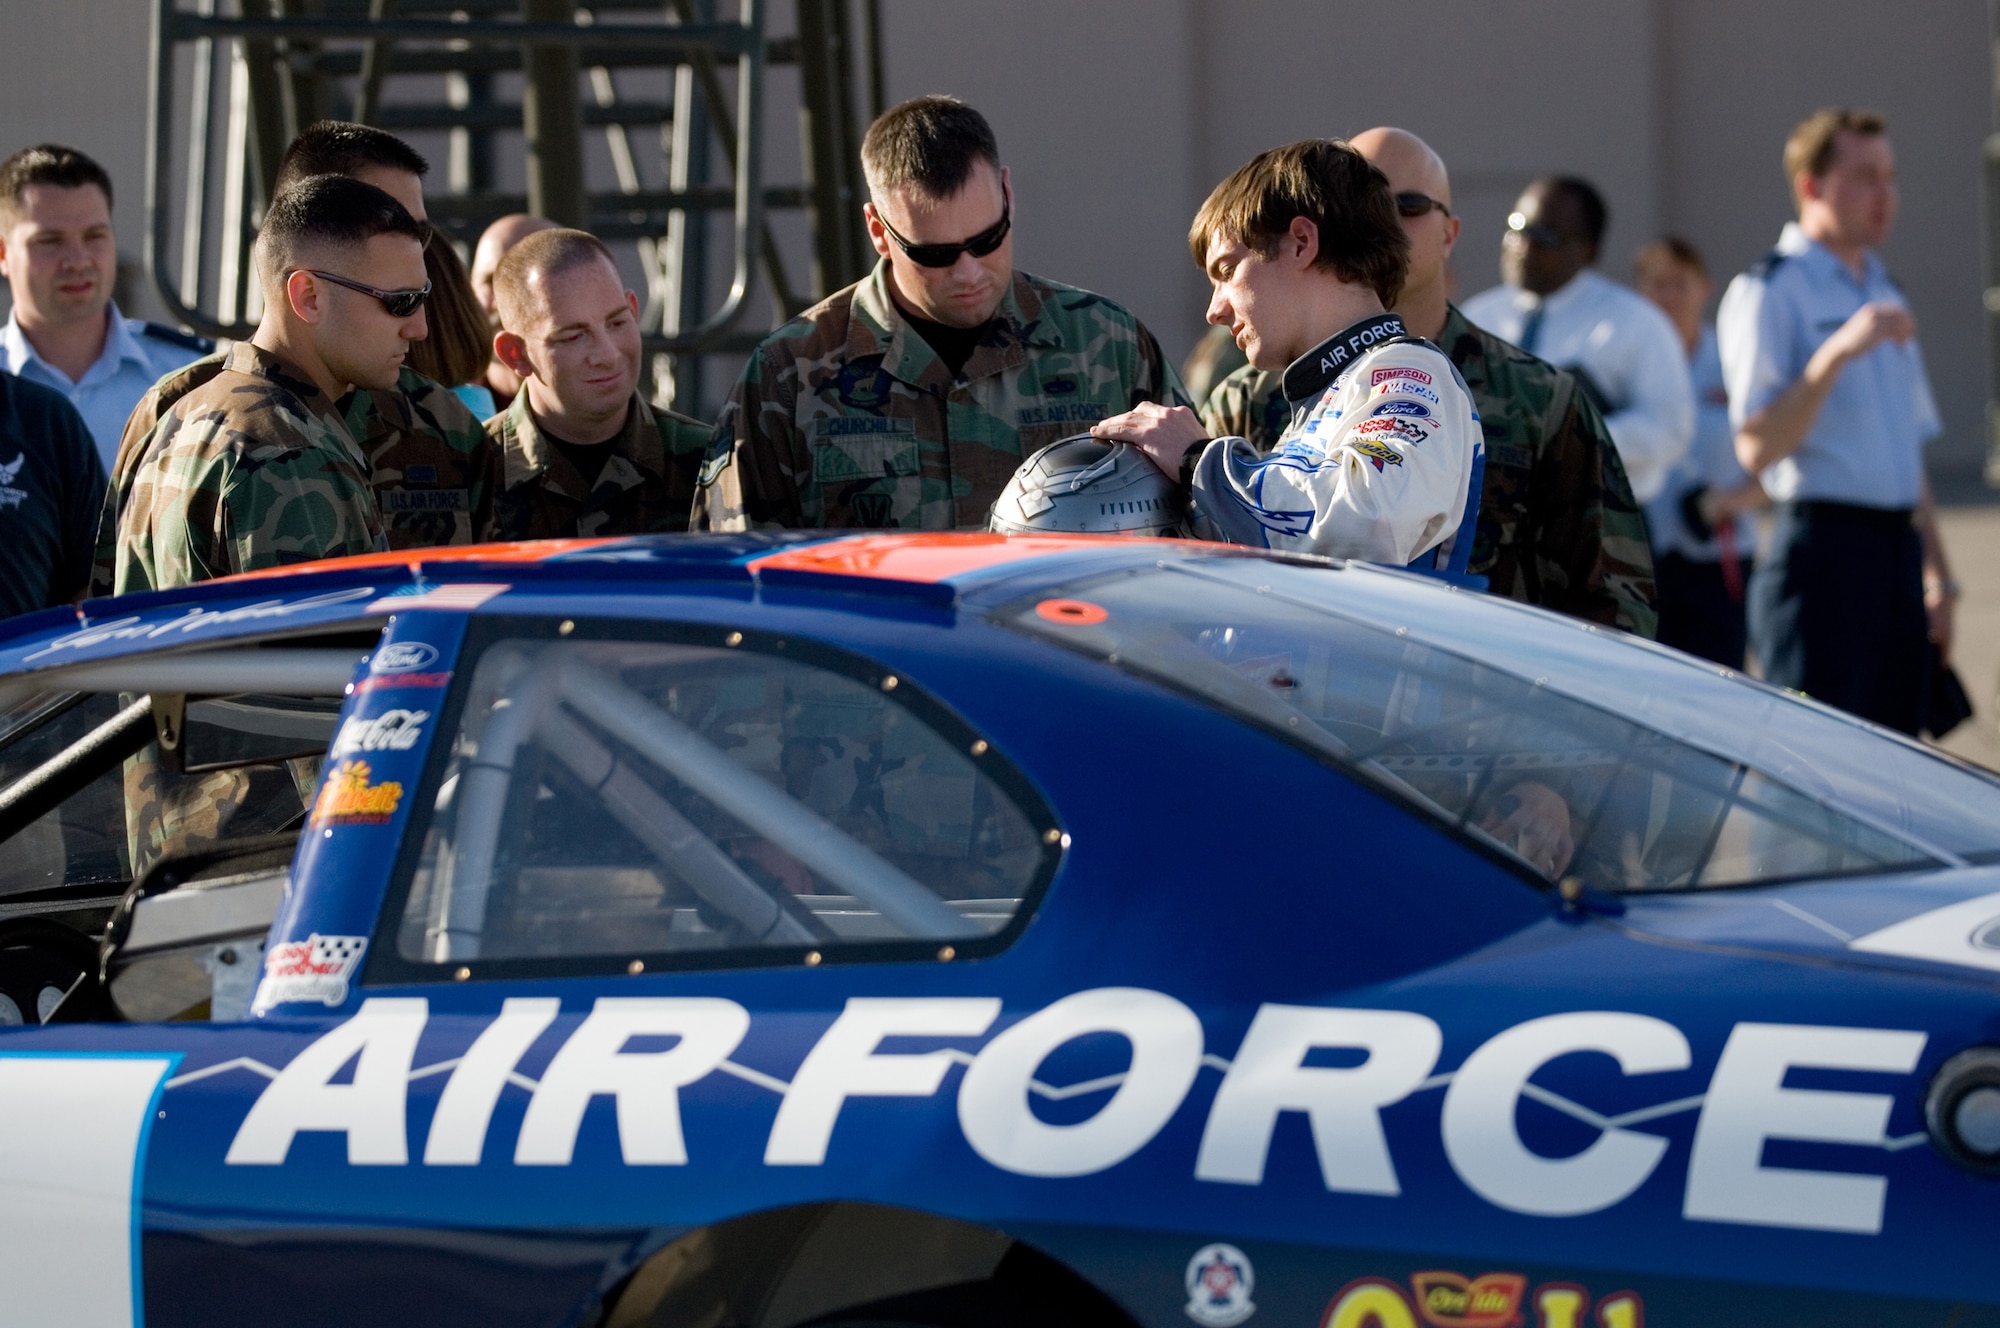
[971, 931]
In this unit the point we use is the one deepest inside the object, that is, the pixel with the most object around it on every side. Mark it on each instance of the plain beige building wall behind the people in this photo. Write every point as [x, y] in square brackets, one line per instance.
[1119, 115]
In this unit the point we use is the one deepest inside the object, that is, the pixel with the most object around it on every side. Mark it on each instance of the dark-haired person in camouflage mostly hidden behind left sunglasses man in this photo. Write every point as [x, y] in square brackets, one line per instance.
[429, 461]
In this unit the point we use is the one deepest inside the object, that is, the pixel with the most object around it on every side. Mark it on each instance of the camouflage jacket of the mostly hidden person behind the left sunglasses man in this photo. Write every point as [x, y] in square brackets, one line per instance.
[431, 465]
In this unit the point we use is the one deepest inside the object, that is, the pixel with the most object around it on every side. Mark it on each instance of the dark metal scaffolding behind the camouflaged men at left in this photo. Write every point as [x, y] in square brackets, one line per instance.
[235, 81]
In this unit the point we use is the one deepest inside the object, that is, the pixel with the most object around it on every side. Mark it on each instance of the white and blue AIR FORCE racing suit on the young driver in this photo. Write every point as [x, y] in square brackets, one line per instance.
[1383, 459]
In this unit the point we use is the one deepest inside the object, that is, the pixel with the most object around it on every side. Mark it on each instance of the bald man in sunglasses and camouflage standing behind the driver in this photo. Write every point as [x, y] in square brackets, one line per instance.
[1559, 525]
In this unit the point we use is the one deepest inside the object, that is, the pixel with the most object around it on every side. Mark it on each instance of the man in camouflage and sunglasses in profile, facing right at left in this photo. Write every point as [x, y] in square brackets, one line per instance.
[257, 467]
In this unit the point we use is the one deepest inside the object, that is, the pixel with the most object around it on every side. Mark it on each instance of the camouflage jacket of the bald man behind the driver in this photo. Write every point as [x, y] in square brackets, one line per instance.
[1559, 525]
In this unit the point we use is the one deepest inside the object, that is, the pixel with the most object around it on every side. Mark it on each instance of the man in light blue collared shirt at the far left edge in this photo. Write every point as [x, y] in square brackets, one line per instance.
[61, 261]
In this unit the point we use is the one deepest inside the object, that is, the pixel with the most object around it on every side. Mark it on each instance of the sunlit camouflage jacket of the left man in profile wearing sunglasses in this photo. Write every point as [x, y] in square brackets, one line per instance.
[249, 471]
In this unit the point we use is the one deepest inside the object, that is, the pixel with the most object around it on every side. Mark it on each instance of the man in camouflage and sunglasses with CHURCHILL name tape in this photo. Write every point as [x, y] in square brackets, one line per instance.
[913, 397]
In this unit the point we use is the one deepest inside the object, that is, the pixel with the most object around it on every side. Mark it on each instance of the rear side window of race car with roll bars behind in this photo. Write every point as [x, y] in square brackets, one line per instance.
[719, 801]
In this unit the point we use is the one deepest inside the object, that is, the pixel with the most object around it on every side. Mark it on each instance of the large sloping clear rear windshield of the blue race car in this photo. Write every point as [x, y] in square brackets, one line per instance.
[1565, 787]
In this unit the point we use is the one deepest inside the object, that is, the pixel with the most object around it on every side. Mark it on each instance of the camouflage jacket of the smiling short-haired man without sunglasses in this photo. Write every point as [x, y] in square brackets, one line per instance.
[647, 483]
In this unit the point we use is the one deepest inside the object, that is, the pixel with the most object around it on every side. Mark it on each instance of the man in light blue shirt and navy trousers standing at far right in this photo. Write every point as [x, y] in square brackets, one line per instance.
[1833, 411]
